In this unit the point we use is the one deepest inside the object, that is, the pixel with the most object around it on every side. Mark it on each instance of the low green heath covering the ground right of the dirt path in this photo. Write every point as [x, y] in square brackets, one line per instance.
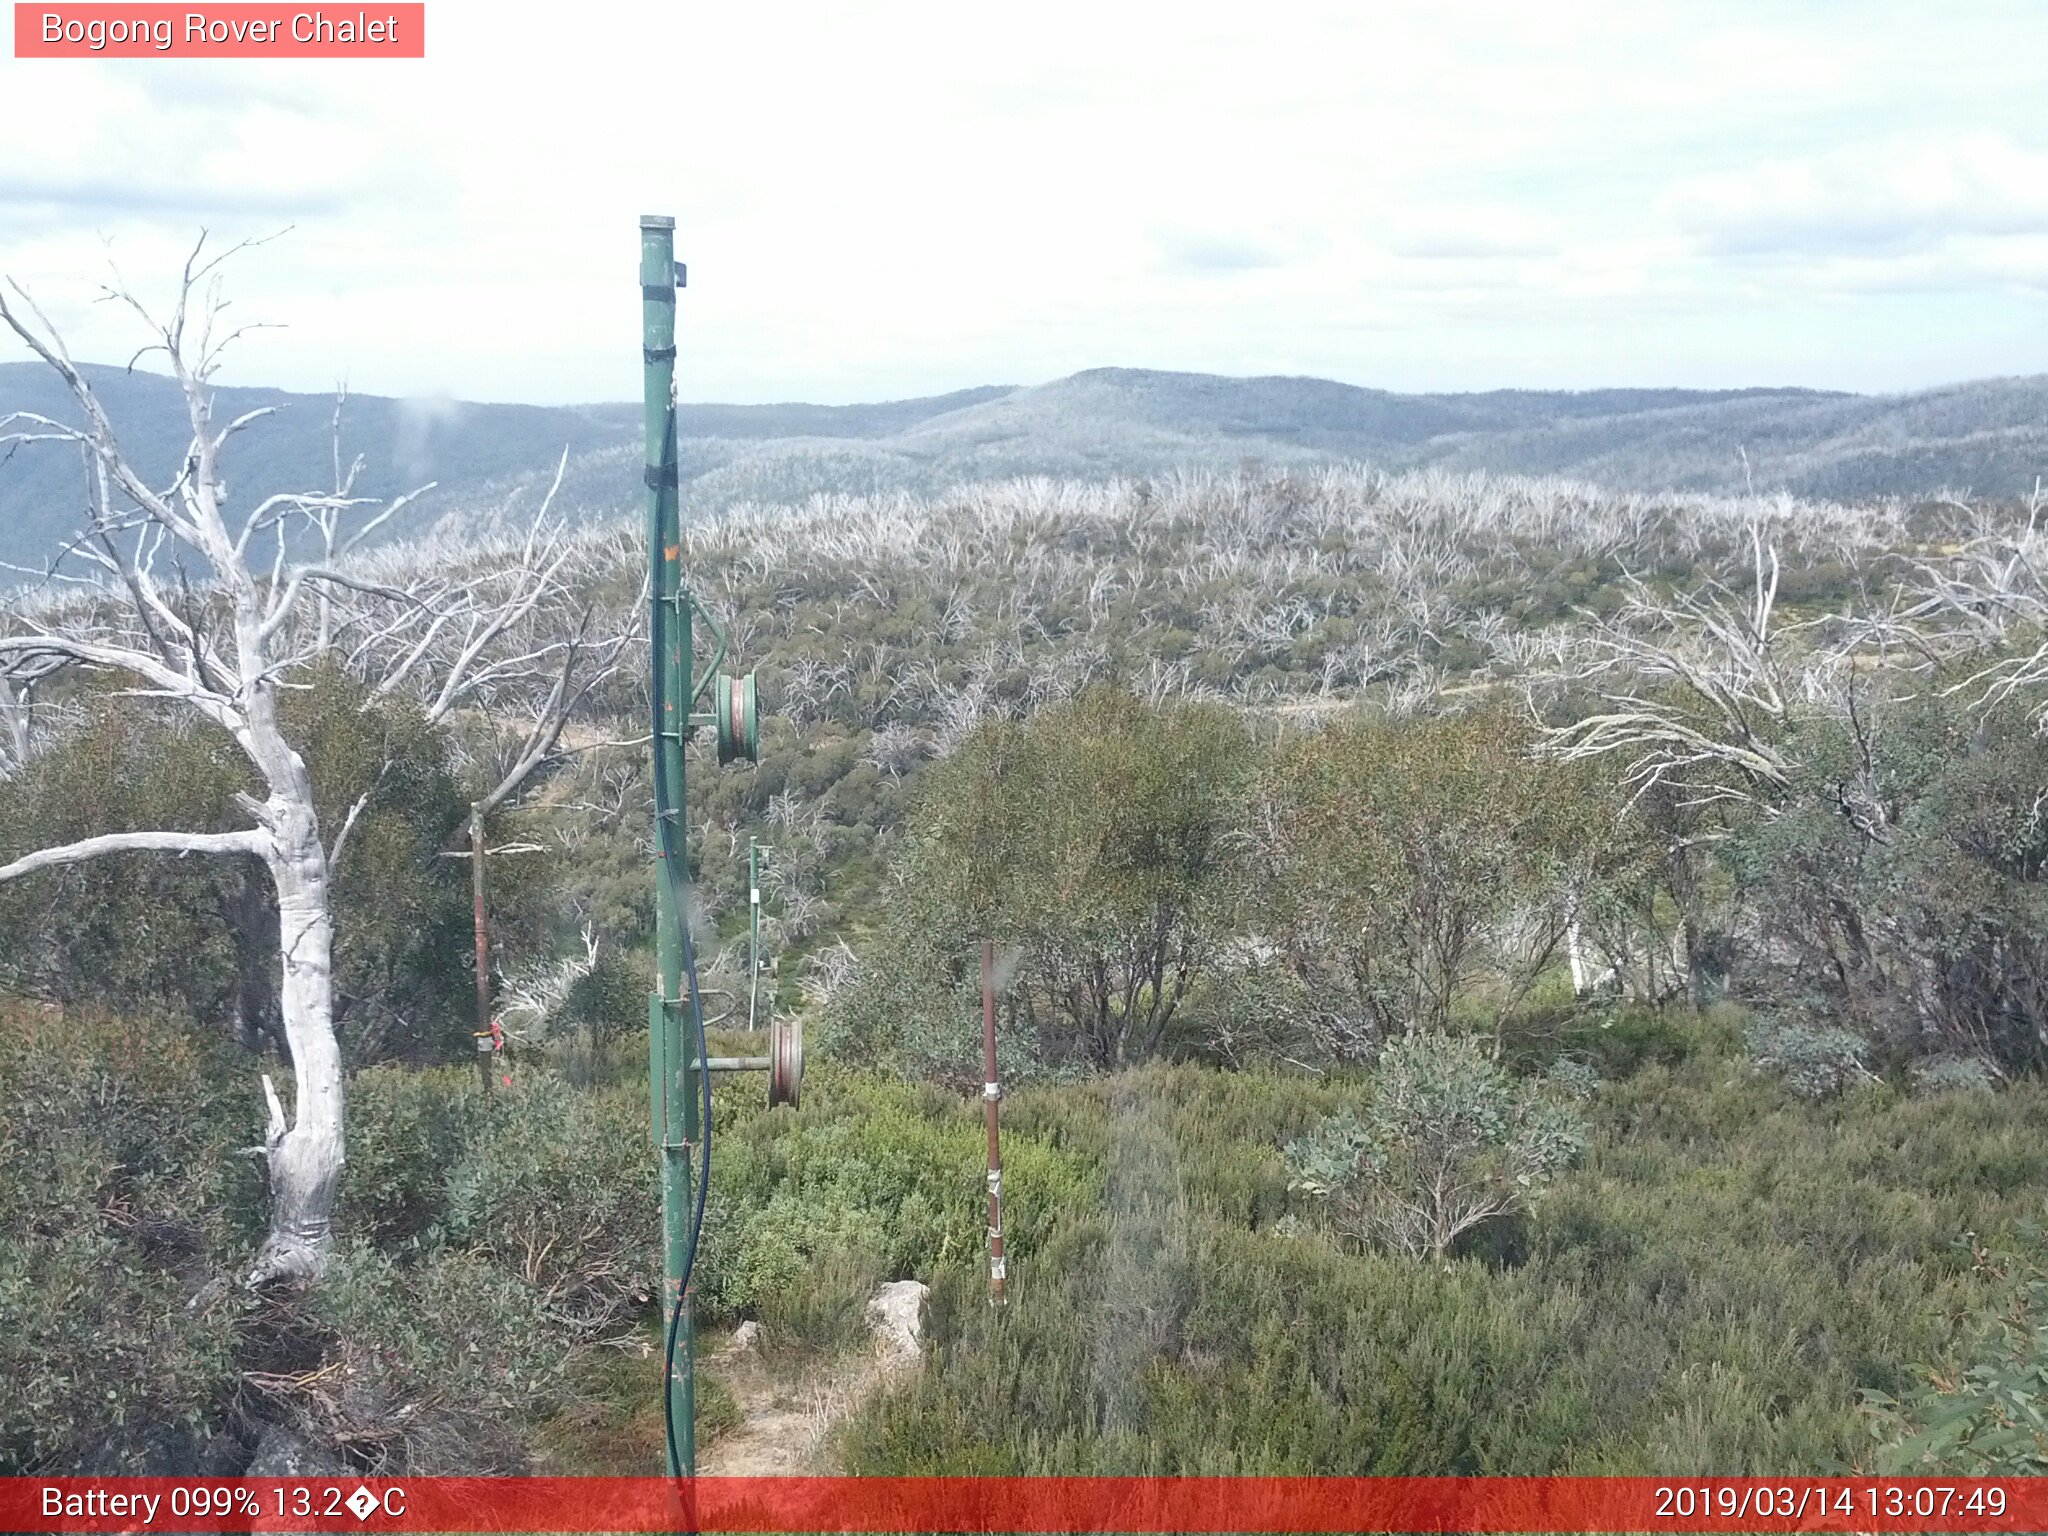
[1711, 1287]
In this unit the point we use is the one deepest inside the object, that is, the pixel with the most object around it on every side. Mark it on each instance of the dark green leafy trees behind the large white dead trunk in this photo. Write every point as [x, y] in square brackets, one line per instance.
[200, 935]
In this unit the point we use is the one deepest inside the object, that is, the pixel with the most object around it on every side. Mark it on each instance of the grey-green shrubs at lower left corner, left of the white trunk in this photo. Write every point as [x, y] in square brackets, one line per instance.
[122, 1197]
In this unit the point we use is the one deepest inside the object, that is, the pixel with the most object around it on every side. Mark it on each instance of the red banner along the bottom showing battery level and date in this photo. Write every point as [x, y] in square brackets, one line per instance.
[1025, 1504]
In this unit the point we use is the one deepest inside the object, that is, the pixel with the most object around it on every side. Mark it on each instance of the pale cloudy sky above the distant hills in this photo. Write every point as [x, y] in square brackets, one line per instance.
[896, 198]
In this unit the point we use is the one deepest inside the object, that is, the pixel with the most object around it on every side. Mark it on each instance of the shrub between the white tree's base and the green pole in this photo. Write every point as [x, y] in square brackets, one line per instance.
[495, 1246]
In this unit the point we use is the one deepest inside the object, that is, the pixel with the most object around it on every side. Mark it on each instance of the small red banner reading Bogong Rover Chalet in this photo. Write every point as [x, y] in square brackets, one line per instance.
[220, 32]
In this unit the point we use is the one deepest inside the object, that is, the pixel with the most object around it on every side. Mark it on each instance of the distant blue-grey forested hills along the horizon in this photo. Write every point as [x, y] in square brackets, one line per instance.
[1988, 439]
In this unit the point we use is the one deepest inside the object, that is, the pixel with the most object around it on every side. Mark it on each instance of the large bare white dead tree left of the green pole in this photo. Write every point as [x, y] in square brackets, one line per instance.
[224, 648]
